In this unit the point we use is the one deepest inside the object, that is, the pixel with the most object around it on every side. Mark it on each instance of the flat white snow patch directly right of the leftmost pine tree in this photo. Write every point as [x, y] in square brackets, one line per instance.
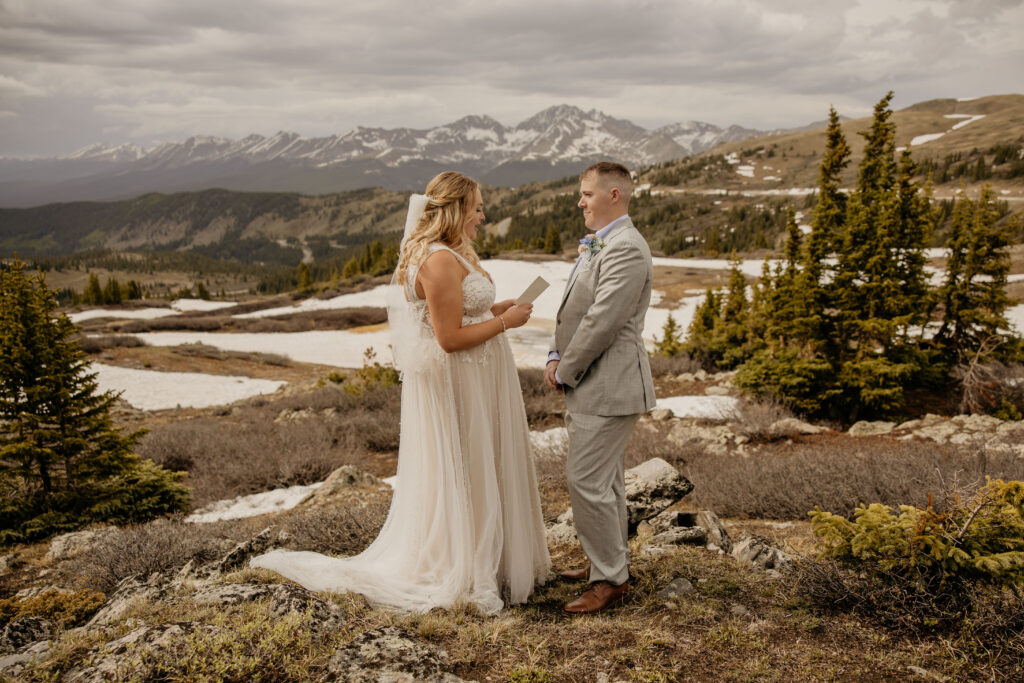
[151, 391]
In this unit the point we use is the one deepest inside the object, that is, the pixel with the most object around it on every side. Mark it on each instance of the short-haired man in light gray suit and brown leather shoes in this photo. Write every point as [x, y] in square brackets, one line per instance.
[599, 360]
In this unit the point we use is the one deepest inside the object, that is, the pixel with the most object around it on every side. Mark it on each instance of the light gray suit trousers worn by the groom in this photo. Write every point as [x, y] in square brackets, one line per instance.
[595, 471]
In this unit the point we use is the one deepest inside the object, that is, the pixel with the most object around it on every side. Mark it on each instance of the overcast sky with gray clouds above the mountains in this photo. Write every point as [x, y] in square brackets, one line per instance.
[78, 72]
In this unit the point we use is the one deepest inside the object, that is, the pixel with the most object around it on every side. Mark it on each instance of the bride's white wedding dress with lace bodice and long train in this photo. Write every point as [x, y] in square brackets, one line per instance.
[465, 522]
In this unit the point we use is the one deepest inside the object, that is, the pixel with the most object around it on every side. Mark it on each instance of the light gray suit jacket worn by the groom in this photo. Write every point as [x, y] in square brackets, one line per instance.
[605, 368]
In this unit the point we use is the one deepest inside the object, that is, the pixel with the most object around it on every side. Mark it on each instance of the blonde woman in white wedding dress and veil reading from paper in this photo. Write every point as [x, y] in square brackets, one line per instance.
[465, 522]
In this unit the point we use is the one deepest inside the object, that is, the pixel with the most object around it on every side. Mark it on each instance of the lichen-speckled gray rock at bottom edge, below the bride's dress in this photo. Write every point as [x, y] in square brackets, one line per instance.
[390, 655]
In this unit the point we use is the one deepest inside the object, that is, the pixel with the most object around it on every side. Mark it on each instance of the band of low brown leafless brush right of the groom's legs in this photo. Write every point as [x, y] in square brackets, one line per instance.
[786, 480]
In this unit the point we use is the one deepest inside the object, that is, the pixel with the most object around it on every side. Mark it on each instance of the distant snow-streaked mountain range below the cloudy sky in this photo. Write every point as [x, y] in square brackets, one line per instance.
[550, 145]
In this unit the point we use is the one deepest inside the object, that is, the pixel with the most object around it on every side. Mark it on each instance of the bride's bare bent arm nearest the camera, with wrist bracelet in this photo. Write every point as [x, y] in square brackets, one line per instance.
[441, 277]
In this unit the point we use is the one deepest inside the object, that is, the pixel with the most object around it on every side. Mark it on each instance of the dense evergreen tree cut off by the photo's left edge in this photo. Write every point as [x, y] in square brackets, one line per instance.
[63, 464]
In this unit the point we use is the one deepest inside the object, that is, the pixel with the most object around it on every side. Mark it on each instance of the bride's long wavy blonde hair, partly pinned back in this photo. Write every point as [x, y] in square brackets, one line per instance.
[451, 200]
